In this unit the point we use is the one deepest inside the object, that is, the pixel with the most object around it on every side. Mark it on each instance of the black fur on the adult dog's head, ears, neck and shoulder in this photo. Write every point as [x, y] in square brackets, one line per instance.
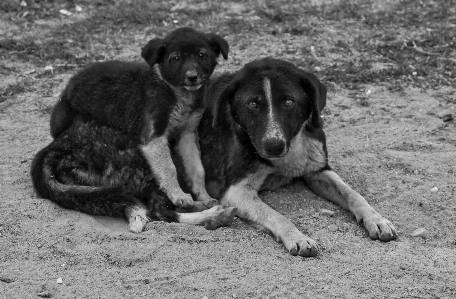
[228, 130]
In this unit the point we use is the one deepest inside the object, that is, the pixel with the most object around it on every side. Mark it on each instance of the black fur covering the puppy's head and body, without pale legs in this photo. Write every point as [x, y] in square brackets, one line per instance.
[131, 96]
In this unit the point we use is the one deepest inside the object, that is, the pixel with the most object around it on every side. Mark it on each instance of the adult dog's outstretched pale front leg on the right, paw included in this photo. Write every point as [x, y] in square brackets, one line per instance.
[330, 186]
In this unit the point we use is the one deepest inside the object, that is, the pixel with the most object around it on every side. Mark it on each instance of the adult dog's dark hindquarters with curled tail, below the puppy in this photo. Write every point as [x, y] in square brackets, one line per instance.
[96, 169]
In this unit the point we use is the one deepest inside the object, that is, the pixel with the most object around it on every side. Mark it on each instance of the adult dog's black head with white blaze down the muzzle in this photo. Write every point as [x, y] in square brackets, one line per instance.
[269, 99]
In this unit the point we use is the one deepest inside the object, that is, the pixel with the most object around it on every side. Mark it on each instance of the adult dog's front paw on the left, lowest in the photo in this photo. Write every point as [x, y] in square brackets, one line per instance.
[299, 244]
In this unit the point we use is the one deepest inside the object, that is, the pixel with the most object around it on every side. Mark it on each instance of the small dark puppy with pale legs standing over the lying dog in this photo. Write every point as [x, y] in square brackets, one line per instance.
[161, 103]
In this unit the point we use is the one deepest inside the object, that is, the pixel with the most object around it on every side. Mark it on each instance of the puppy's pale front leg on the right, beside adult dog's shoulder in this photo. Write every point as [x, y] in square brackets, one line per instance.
[189, 152]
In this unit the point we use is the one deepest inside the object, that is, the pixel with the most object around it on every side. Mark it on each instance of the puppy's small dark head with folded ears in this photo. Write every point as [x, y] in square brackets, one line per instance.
[185, 58]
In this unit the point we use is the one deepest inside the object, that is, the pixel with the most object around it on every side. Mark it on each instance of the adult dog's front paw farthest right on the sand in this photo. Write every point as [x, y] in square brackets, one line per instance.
[378, 227]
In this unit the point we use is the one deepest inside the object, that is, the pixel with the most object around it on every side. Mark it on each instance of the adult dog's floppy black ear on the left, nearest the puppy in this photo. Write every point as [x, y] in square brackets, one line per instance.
[218, 92]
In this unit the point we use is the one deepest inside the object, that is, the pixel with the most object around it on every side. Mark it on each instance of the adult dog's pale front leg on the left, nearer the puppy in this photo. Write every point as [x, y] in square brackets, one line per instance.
[244, 197]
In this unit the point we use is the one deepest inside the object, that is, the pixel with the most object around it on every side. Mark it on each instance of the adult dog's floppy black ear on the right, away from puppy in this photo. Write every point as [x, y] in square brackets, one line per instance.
[317, 95]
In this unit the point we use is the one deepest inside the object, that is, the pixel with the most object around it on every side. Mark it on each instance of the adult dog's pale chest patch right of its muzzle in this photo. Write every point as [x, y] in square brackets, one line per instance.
[305, 155]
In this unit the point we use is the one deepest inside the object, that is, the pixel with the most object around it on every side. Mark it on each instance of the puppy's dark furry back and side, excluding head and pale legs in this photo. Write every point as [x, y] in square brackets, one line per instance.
[117, 94]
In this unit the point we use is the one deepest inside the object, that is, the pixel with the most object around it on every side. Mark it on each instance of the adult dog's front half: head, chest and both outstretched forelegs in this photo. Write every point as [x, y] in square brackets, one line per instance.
[263, 128]
